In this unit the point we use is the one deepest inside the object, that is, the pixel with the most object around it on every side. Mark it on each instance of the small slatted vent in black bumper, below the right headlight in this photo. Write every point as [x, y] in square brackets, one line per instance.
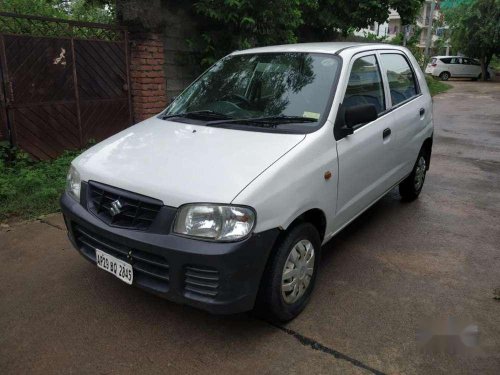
[202, 281]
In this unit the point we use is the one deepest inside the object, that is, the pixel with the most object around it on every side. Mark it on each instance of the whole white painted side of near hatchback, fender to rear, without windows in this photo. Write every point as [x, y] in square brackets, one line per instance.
[295, 183]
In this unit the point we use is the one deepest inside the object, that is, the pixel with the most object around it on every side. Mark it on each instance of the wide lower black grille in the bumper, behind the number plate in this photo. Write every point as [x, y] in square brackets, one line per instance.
[149, 269]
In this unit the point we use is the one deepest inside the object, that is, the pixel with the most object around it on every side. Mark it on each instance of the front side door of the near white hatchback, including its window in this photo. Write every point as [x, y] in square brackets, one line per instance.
[364, 157]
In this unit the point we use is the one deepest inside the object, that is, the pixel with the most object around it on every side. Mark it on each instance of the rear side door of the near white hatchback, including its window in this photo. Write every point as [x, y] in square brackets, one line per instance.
[409, 111]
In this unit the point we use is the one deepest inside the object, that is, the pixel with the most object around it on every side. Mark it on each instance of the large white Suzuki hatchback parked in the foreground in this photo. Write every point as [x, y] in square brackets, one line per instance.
[224, 200]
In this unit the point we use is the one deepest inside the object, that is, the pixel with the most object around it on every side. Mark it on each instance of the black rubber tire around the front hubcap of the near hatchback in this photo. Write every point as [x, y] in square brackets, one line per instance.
[277, 309]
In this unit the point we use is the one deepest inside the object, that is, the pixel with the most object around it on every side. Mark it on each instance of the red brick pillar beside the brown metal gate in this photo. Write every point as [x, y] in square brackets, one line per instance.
[147, 76]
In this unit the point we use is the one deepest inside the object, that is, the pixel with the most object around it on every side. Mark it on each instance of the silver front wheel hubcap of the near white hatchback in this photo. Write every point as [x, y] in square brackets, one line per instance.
[297, 272]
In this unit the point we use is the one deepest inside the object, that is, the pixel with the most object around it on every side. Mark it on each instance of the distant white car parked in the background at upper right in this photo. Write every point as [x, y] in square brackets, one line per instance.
[446, 67]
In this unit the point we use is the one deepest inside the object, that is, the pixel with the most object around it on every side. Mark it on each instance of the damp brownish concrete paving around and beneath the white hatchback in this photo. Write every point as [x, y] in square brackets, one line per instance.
[394, 268]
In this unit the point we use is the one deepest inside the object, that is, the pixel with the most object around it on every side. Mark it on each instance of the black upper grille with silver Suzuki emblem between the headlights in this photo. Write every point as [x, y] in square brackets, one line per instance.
[135, 211]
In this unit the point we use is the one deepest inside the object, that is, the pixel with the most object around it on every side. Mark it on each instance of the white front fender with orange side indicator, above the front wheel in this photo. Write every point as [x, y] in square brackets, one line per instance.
[296, 183]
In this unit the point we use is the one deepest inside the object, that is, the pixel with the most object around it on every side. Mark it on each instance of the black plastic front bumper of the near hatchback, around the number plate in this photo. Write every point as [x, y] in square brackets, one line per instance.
[221, 278]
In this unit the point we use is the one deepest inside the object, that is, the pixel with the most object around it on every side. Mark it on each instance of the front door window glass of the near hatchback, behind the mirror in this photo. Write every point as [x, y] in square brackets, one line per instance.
[365, 84]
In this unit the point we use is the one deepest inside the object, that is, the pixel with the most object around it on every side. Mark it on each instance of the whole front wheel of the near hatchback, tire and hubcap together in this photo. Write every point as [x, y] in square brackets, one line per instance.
[290, 275]
